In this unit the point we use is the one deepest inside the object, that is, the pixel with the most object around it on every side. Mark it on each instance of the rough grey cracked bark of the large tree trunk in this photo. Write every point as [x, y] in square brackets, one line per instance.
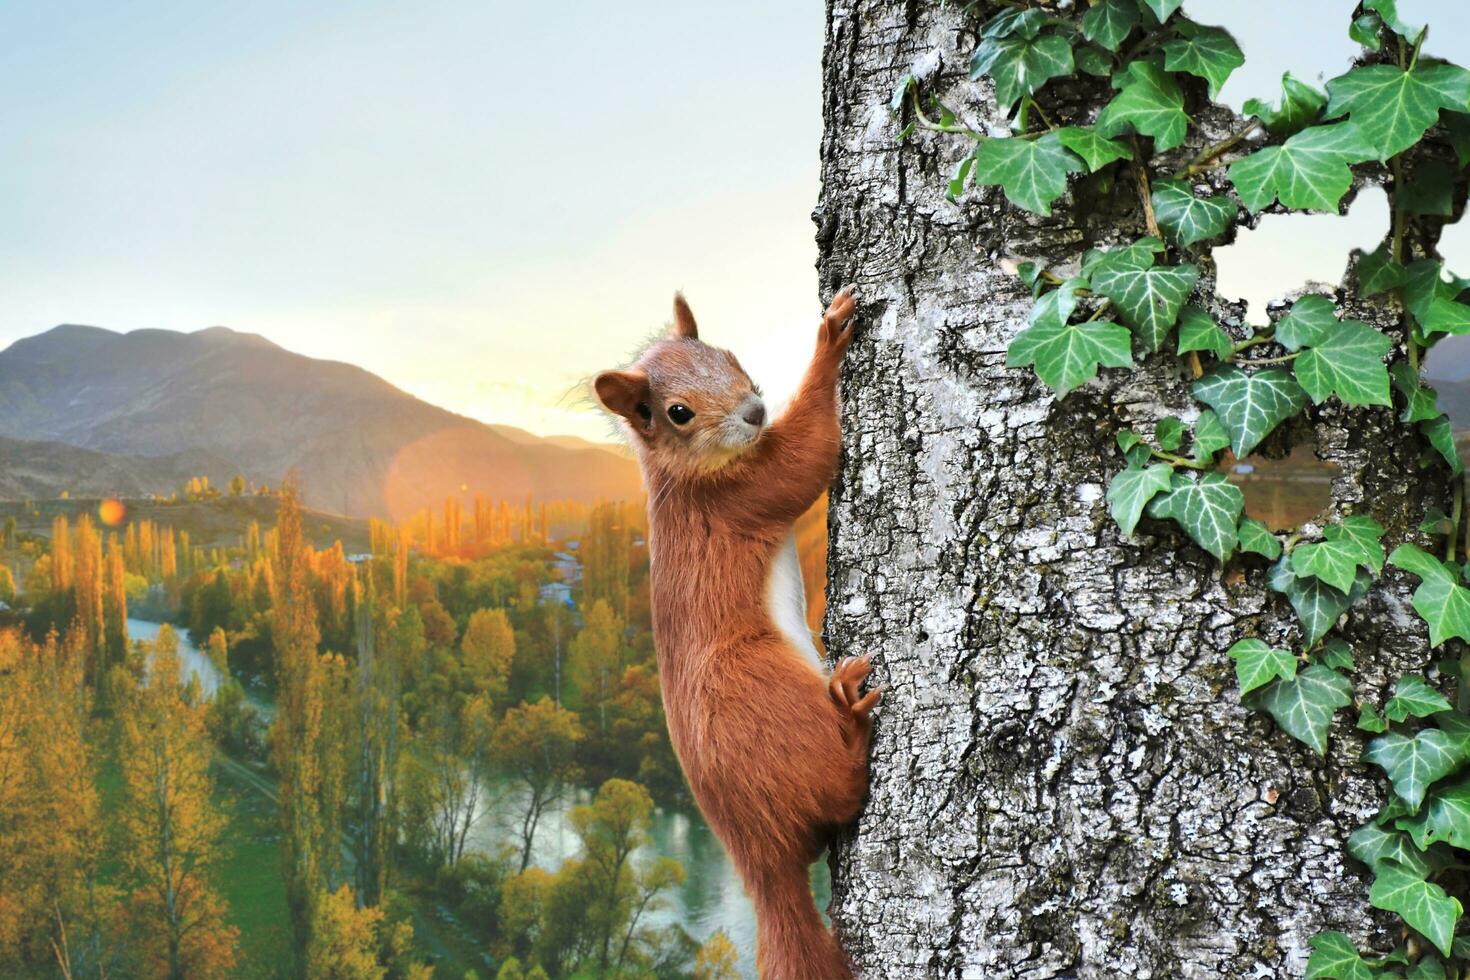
[1064, 779]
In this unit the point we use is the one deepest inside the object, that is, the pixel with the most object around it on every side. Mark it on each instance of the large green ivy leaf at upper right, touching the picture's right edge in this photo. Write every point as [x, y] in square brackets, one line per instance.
[1393, 107]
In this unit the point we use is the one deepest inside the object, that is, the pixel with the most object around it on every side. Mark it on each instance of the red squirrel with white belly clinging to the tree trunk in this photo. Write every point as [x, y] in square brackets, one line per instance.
[774, 750]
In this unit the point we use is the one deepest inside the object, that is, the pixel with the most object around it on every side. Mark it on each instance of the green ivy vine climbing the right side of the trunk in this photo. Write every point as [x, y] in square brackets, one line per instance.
[1397, 115]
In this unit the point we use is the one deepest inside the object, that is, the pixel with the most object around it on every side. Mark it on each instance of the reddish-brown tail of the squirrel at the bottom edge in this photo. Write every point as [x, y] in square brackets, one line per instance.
[792, 943]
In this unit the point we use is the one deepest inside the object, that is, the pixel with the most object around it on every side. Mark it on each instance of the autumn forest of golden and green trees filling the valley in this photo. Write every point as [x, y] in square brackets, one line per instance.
[383, 709]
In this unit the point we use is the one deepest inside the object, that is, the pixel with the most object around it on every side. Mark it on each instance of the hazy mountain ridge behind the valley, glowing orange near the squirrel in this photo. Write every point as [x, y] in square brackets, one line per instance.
[359, 446]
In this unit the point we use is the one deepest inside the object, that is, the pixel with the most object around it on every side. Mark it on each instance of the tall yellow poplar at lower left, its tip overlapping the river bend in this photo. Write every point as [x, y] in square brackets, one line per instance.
[168, 829]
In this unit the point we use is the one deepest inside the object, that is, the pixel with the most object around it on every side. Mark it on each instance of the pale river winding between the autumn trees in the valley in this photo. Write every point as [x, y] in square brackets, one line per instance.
[711, 898]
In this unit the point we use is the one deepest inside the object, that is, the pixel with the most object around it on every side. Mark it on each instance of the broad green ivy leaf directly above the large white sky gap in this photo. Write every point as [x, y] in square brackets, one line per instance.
[1308, 173]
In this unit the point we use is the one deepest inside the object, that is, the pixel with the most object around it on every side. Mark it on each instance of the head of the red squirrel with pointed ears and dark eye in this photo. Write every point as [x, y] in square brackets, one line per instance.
[690, 408]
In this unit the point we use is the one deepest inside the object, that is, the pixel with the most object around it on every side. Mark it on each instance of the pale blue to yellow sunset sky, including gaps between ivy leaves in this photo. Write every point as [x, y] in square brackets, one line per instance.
[484, 203]
